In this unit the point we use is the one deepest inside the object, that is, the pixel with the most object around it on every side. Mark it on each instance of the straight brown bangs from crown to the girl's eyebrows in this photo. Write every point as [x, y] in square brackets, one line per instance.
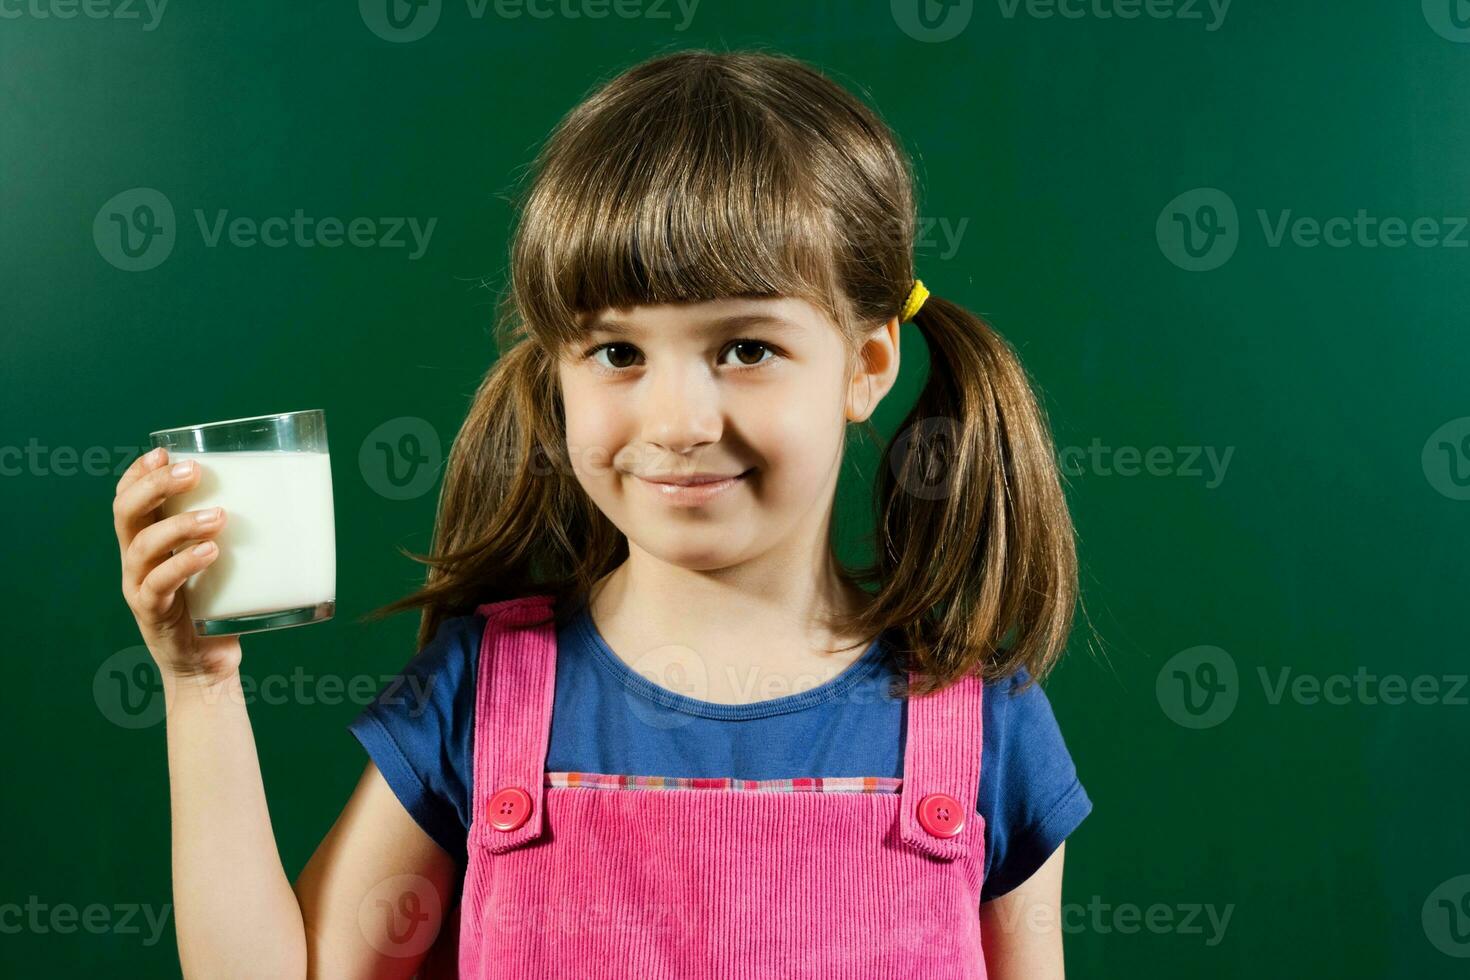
[673, 203]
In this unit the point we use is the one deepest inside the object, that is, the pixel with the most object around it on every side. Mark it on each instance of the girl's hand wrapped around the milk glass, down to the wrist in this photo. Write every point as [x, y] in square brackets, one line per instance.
[152, 575]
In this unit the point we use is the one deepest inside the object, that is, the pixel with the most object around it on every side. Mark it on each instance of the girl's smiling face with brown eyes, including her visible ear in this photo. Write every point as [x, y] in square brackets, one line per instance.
[750, 393]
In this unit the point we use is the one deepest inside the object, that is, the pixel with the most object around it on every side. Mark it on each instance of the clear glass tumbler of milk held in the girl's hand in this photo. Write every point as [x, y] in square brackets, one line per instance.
[277, 561]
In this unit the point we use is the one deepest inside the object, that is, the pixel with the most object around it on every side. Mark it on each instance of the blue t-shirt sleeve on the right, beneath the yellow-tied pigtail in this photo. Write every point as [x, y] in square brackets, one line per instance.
[1030, 790]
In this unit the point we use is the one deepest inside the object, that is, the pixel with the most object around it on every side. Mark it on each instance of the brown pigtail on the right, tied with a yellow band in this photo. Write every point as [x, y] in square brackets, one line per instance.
[975, 544]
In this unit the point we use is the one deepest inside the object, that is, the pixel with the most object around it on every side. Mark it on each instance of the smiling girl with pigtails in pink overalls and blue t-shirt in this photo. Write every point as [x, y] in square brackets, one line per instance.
[667, 732]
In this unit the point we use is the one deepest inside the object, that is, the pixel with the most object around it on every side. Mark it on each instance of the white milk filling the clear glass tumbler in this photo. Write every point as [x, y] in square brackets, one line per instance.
[279, 546]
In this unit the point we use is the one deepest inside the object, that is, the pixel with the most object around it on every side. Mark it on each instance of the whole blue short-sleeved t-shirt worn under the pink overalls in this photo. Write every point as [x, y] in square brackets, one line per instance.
[609, 719]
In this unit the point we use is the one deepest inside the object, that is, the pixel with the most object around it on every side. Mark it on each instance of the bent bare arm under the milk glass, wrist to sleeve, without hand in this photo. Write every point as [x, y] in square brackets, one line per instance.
[368, 904]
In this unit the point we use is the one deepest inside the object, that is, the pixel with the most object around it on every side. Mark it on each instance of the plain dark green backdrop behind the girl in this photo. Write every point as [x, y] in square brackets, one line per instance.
[1334, 377]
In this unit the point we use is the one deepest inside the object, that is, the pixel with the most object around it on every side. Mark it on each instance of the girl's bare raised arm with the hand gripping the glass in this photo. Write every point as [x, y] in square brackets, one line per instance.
[236, 912]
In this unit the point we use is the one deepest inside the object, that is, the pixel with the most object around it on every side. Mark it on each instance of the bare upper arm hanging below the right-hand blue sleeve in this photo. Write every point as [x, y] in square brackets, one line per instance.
[1022, 929]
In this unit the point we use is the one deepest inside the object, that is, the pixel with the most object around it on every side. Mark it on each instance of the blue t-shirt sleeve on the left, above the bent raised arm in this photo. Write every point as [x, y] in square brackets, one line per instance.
[420, 732]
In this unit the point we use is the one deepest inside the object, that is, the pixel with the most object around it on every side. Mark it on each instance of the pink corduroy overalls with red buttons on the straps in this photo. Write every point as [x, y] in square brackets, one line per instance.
[723, 884]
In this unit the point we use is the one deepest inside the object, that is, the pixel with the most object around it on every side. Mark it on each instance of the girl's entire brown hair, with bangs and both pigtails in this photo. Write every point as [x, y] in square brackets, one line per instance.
[700, 176]
